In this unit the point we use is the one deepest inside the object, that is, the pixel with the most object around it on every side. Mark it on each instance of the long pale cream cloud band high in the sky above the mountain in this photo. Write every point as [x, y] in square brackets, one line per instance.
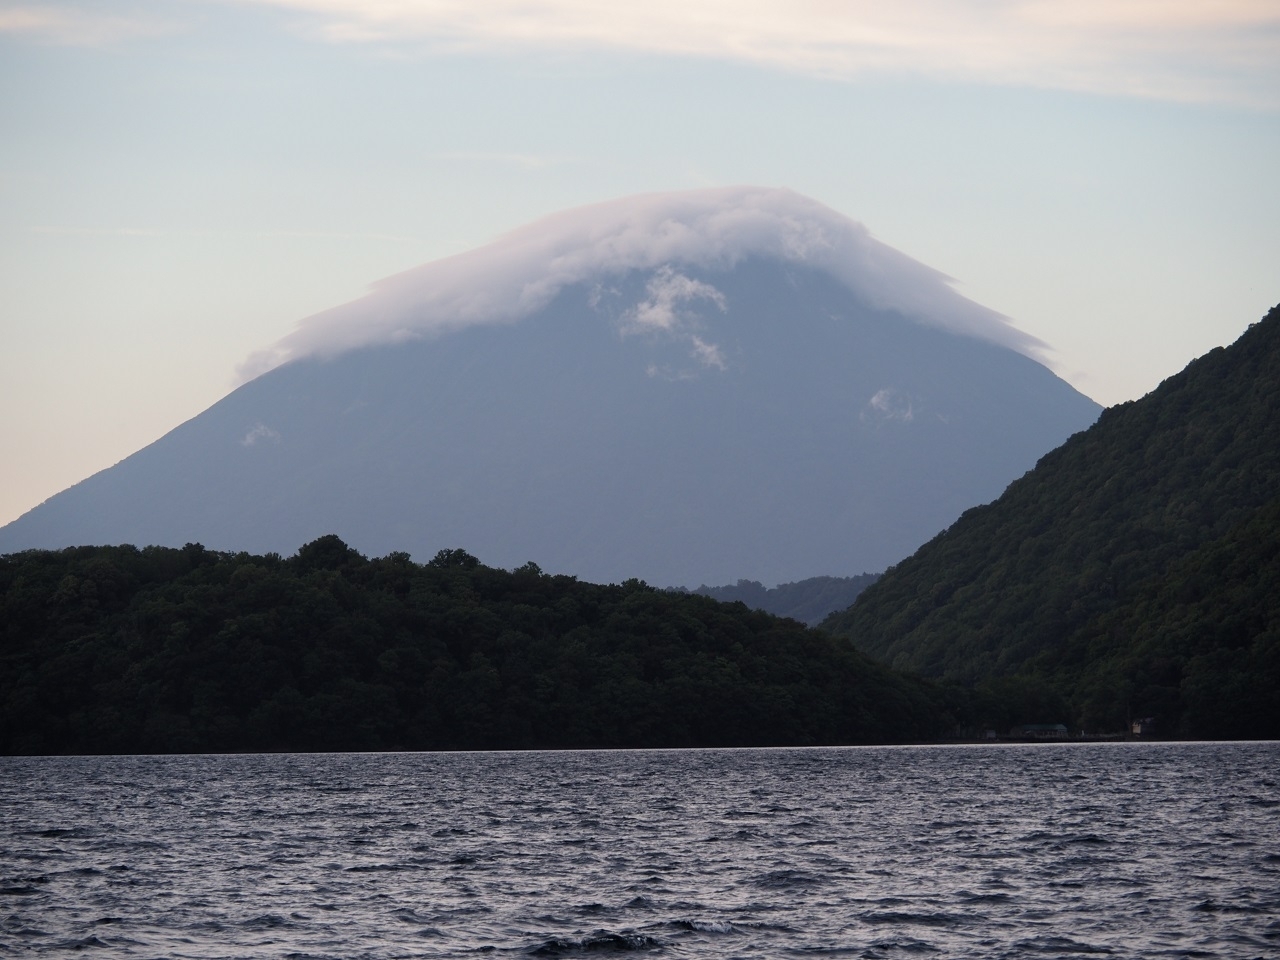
[1169, 49]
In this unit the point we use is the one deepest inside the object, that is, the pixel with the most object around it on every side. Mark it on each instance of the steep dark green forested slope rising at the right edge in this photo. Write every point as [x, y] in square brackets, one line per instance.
[1135, 572]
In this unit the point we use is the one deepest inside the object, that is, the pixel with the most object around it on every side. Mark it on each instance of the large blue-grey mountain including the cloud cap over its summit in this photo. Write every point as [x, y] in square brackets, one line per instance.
[685, 388]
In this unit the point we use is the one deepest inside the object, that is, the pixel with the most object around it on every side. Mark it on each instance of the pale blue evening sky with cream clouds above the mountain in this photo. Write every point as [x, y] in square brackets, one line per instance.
[182, 182]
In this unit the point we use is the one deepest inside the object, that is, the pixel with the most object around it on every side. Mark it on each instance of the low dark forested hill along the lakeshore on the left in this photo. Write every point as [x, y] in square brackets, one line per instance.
[118, 650]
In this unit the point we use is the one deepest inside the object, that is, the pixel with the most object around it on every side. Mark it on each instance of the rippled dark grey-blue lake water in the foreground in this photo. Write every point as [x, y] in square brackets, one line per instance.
[1128, 851]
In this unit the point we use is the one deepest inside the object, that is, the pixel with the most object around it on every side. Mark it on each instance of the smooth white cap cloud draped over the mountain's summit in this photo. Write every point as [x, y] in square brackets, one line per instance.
[524, 271]
